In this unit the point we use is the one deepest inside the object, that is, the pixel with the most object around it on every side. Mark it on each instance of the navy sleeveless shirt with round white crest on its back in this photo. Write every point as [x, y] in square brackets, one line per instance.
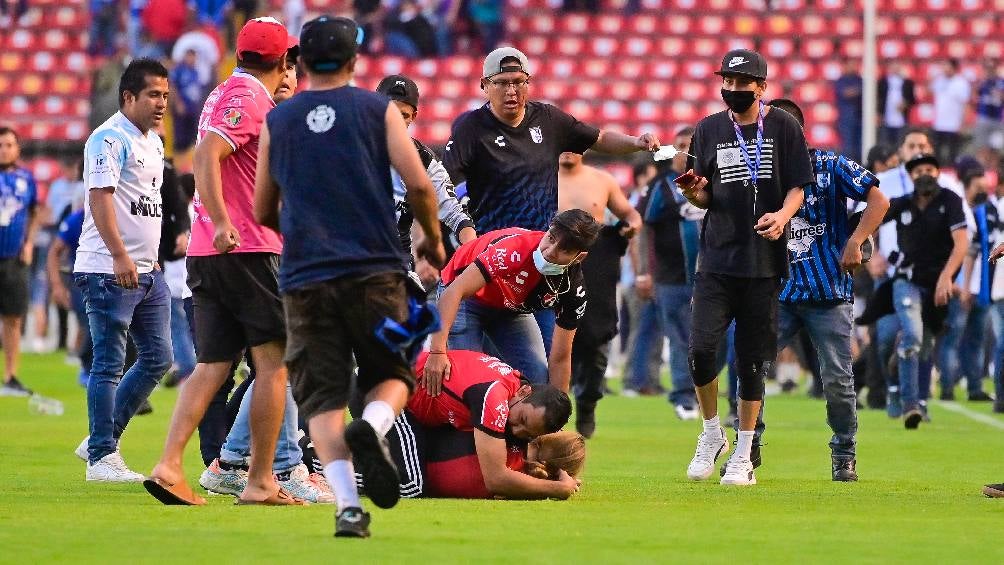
[329, 155]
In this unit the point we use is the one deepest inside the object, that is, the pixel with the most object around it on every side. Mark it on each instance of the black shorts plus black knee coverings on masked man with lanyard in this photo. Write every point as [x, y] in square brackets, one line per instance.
[752, 304]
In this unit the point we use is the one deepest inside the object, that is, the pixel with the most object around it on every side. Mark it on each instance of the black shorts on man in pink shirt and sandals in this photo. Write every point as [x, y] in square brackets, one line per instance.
[236, 304]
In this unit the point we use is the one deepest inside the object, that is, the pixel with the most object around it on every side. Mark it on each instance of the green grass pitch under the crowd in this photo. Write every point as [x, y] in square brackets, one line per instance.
[919, 499]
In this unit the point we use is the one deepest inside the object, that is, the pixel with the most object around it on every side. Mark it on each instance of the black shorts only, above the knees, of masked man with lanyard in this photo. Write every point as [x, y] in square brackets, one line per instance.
[751, 303]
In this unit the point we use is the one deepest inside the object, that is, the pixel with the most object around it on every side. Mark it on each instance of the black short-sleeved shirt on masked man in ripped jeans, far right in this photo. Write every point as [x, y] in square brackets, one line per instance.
[925, 236]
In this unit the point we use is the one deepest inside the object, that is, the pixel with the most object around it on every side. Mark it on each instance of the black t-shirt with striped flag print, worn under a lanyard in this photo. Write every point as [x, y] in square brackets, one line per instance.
[729, 244]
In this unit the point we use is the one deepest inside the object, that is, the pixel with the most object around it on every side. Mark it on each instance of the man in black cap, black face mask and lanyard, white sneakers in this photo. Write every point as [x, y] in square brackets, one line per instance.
[749, 169]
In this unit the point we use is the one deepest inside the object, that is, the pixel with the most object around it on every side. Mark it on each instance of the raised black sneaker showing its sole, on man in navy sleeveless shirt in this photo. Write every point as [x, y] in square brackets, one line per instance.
[372, 460]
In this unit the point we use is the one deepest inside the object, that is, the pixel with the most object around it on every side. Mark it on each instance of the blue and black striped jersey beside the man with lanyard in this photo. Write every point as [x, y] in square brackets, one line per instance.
[819, 232]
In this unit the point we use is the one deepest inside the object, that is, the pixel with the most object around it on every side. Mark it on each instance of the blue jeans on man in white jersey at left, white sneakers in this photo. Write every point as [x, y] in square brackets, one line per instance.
[145, 314]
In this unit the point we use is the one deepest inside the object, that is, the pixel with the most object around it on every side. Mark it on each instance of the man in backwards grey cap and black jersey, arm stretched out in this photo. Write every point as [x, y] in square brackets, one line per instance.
[509, 150]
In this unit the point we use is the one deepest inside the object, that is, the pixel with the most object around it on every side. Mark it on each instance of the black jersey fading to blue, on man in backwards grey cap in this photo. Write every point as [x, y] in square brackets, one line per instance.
[513, 173]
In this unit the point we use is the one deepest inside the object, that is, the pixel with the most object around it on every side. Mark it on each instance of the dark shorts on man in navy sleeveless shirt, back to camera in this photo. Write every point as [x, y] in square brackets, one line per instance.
[334, 321]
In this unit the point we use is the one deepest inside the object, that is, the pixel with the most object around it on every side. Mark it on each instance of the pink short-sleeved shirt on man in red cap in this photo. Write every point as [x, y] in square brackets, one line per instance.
[235, 111]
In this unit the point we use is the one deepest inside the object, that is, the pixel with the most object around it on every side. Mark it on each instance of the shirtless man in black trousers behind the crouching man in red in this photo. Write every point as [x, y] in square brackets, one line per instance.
[596, 191]
